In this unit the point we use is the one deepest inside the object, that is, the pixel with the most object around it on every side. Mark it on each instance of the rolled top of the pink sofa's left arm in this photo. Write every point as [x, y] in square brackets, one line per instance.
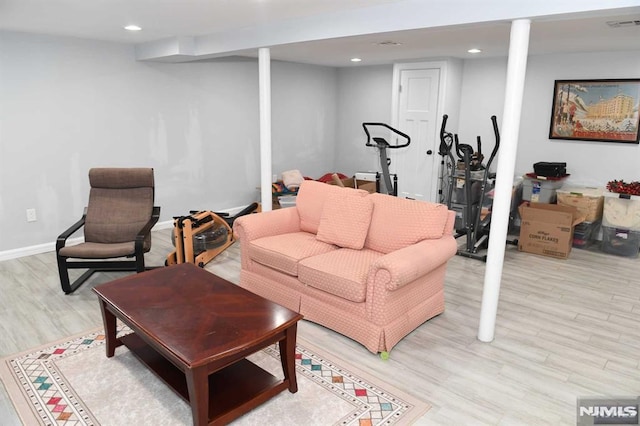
[264, 224]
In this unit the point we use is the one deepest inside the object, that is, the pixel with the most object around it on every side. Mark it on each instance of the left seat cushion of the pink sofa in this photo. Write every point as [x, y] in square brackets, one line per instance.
[283, 252]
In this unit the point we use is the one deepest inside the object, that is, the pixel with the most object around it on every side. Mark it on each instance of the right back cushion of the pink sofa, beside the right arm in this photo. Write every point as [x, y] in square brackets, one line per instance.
[399, 222]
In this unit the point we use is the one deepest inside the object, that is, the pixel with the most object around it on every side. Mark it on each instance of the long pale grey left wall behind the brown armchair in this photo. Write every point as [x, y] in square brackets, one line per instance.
[67, 105]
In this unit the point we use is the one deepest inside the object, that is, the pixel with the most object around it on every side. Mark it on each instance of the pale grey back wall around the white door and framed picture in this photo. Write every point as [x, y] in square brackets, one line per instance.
[365, 94]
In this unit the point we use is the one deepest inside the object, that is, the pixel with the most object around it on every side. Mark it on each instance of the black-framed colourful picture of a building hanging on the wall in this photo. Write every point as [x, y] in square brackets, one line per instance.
[596, 110]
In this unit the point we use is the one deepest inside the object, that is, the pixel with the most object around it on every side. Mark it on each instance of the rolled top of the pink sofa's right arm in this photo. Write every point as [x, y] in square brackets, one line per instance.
[403, 266]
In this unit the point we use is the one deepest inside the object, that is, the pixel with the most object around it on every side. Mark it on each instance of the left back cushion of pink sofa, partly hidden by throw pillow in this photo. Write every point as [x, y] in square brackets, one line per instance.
[311, 199]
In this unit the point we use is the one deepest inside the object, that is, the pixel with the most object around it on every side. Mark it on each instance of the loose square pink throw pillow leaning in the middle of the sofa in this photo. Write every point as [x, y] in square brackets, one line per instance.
[345, 219]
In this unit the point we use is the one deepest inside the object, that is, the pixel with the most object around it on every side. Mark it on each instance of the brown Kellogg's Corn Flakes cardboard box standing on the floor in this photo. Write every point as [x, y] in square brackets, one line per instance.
[547, 229]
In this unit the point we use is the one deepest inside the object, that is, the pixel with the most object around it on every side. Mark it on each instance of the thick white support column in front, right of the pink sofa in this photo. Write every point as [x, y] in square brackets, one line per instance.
[516, 69]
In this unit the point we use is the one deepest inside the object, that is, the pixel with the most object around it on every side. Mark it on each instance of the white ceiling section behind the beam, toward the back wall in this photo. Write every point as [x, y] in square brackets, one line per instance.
[575, 35]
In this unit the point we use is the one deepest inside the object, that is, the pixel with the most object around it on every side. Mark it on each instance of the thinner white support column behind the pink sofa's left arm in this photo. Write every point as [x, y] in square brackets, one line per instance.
[264, 78]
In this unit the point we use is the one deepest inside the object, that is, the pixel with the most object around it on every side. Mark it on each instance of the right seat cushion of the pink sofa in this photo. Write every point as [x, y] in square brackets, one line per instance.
[342, 272]
